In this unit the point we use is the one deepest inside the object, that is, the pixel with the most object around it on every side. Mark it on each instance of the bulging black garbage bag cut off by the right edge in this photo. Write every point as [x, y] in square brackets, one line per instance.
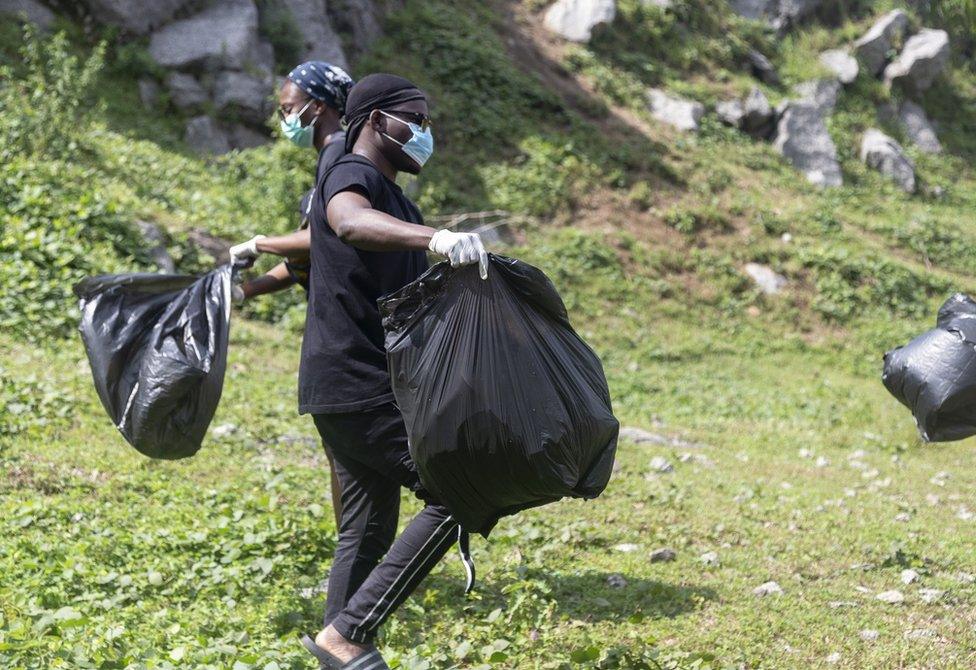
[934, 375]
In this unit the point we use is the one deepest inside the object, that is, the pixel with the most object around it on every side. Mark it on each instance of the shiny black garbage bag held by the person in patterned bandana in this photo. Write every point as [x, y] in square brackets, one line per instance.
[157, 345]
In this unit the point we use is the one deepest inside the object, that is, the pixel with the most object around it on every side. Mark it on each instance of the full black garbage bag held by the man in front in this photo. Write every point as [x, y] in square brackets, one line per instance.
[506, 407]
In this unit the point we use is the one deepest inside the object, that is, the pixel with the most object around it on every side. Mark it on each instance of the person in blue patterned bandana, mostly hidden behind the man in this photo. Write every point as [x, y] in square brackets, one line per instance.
[310, 105]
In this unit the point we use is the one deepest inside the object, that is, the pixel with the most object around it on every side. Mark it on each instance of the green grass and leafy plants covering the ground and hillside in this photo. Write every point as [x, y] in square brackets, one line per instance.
[810, 474]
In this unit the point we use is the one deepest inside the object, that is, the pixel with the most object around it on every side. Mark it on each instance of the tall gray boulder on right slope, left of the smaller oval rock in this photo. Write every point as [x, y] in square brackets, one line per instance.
[802, 137]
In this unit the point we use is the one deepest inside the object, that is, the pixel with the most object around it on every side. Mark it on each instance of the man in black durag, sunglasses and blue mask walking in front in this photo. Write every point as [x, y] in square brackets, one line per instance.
[368, 240]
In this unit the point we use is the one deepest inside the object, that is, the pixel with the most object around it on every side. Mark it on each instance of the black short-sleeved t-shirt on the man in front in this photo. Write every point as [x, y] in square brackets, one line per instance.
[344, 366]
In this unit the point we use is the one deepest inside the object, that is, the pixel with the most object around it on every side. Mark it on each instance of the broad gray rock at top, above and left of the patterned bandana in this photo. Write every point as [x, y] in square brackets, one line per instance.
[225, 34]
